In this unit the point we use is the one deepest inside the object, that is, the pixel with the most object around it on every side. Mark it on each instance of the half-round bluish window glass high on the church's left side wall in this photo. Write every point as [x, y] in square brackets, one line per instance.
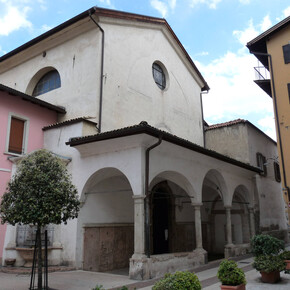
[47, 83]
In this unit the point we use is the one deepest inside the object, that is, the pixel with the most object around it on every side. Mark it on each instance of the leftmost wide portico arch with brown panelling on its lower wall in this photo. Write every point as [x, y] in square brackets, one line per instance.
[106, 221]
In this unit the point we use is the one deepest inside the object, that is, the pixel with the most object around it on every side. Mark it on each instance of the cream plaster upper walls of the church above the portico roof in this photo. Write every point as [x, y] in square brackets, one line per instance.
[130, 94]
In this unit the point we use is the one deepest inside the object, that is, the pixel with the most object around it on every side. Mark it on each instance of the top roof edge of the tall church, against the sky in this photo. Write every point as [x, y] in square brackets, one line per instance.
[112, 14]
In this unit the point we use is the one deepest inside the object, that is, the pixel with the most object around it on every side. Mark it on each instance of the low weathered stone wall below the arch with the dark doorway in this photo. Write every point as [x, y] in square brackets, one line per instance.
[144, 268]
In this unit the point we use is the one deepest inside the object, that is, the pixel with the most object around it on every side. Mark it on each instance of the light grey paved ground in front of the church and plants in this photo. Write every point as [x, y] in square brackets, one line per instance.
[82, 280]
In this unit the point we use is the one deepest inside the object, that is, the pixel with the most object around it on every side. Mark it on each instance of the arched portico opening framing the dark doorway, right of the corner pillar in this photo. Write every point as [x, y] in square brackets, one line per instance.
[172, 215]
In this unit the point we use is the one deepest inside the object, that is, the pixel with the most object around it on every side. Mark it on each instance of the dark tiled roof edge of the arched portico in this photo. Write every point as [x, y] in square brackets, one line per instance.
[144, 128]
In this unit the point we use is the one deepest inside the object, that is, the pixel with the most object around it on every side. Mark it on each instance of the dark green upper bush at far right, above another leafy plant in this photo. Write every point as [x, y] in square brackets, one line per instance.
[266, 245]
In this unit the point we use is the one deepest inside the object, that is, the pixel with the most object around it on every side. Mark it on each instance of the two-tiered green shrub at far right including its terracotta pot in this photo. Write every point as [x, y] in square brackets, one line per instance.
[268, 262]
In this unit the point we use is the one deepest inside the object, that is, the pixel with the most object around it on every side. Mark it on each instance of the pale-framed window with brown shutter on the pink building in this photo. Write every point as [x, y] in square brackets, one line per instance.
[17, 133]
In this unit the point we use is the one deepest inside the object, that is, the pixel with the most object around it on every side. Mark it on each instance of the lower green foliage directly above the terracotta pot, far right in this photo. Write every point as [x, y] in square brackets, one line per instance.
[268, 263]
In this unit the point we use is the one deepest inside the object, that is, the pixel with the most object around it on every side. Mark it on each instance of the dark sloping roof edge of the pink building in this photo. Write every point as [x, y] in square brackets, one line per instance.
[33, 100]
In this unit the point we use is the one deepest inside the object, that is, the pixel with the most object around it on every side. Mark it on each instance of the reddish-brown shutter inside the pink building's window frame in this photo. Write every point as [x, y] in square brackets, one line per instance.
[16, 136]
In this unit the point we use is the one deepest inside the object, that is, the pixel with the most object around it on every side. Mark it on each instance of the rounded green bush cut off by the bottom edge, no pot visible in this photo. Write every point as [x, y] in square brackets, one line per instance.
[178, 281]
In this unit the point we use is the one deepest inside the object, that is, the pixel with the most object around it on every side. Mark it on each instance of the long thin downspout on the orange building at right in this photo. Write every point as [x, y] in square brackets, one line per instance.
[277, 117]
